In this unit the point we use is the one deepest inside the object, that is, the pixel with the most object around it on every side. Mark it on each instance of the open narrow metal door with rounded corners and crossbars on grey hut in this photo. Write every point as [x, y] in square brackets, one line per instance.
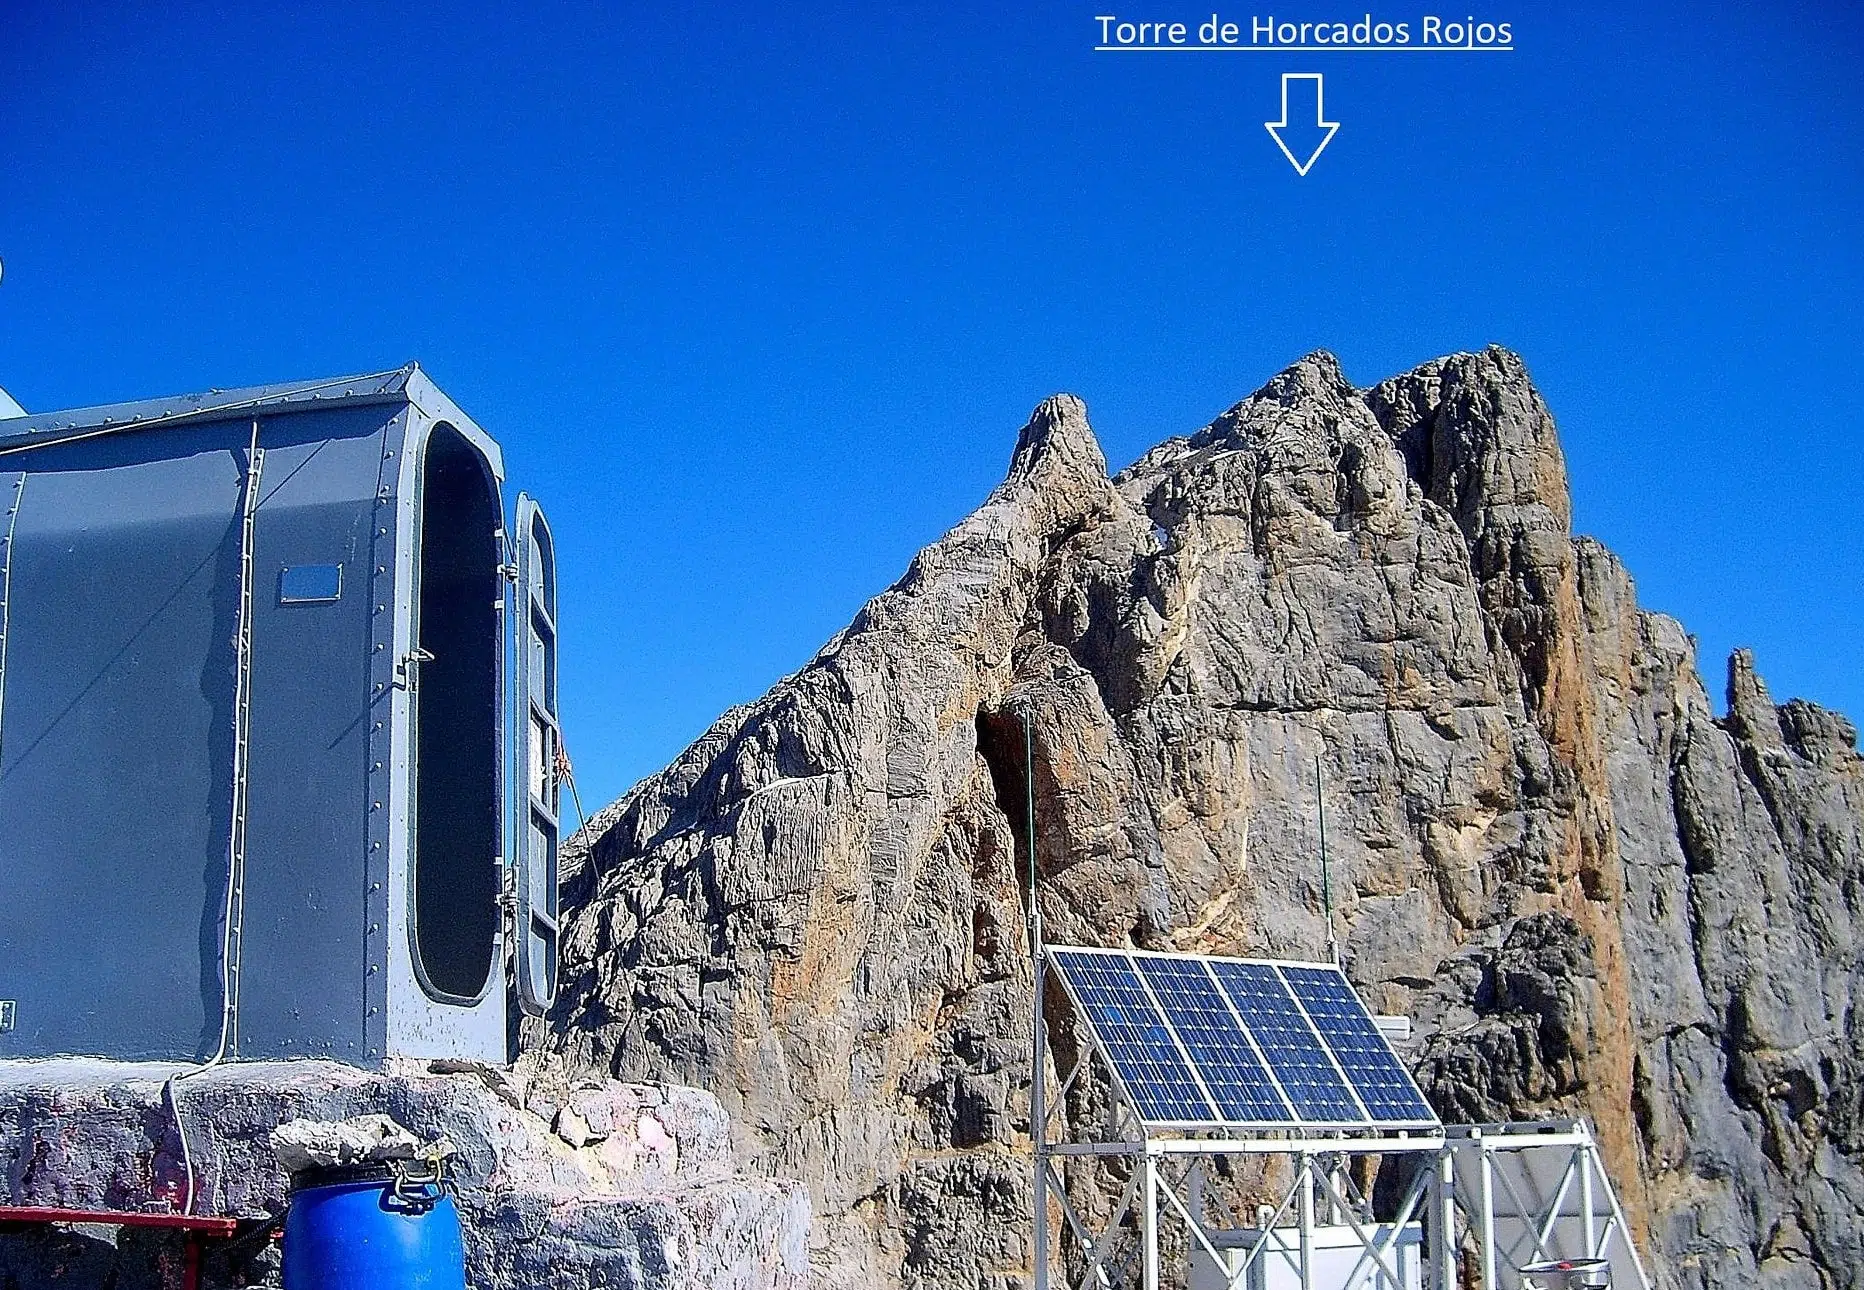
[538, 743]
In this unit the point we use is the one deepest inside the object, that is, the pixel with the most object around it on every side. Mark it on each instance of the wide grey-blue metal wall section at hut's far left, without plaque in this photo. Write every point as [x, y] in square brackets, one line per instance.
[116, 758]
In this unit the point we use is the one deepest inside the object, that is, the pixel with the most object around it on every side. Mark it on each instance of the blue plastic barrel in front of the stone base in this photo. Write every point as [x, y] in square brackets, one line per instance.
[361, 1231]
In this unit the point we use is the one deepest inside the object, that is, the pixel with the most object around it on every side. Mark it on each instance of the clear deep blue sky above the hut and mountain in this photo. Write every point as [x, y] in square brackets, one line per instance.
[758, 297]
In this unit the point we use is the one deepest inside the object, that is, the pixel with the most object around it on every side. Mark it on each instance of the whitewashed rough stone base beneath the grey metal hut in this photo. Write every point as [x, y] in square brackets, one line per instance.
[648, 1196]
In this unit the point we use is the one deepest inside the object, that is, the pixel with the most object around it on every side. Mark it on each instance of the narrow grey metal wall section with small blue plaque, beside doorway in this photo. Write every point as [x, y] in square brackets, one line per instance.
[308, 767]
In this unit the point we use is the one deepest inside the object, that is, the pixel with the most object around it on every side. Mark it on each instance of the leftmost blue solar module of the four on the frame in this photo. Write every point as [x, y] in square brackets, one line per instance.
[1134, 1037]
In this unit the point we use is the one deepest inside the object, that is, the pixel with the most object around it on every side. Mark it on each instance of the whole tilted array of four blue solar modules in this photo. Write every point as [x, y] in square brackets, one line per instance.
[1240, 1043]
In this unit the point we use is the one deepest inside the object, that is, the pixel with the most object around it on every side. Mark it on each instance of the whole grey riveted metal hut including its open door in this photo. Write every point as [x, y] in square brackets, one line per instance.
[277, 730]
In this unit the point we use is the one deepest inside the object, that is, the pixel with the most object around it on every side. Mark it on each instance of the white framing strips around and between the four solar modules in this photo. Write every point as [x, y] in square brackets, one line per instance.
[1162, 1017]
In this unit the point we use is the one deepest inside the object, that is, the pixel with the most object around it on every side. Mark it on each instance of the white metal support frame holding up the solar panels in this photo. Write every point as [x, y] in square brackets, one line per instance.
[1503, 1194]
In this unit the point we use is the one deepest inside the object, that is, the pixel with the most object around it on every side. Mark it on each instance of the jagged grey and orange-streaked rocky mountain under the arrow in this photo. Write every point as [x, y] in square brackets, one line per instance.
[1591, 892]
